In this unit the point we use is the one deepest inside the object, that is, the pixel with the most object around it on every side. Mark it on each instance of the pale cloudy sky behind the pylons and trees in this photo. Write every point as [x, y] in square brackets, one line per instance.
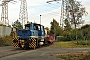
[47, 11]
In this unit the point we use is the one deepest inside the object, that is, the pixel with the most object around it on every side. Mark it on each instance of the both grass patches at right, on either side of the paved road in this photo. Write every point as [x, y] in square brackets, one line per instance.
[73, 44]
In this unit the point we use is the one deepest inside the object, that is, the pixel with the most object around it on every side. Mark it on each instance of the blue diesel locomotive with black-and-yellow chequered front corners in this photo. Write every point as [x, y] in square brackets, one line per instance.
[31, 37]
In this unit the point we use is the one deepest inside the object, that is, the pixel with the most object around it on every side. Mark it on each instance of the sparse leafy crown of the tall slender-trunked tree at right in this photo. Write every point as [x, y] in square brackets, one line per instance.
[76, 11]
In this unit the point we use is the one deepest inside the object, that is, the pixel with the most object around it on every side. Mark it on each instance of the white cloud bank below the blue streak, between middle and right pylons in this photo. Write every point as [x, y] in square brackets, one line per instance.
[46, 17]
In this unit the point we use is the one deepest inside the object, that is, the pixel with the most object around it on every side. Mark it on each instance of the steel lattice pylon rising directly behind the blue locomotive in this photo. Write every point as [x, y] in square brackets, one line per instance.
[23, 15]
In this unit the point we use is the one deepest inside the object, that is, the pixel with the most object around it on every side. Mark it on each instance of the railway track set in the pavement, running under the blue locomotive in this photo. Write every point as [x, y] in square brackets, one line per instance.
[6, 51]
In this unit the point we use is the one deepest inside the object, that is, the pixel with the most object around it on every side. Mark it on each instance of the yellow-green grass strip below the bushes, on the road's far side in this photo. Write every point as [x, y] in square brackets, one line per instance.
[71, 44]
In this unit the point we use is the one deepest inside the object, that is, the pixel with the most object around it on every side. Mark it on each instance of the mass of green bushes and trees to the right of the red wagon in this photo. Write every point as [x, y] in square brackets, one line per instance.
[70, 28]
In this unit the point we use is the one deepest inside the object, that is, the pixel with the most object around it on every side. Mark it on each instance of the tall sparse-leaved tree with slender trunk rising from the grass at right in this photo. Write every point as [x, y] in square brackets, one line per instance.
[76, 11]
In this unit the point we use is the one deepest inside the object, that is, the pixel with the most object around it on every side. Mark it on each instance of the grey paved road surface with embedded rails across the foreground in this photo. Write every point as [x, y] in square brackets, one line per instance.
[45, 53]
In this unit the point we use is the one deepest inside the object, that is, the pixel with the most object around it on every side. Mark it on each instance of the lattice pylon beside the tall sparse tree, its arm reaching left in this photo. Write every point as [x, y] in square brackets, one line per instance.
[64, 10]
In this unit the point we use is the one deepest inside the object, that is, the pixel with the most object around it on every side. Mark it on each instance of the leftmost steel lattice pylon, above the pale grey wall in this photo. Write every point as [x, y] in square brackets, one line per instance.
[4, 13]
